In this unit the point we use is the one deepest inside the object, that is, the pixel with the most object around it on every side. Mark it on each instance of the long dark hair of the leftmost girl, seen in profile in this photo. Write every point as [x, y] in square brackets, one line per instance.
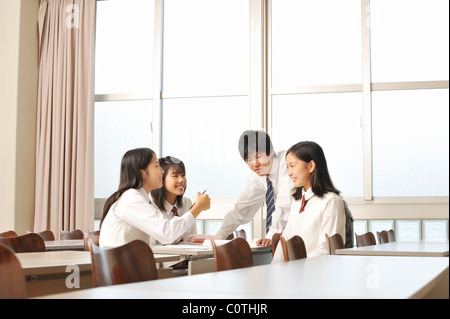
[130, 174]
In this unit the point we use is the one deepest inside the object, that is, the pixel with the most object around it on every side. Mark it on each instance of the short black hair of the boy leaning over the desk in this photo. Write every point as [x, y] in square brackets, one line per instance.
[254, 141]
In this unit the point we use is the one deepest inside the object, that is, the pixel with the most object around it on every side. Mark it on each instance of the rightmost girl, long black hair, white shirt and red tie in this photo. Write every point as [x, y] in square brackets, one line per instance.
[317, 208]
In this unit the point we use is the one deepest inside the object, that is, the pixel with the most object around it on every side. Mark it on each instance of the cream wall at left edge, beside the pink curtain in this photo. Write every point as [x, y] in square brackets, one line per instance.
[18, 94]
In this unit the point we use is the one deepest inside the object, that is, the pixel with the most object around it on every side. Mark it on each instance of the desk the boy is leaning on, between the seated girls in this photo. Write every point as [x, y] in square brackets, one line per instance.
[201, 257]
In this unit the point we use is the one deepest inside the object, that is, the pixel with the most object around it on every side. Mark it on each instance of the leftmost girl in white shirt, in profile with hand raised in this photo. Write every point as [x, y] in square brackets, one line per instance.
[128, 214]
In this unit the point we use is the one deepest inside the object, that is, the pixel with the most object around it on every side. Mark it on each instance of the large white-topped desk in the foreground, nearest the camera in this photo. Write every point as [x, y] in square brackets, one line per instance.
[320, 277]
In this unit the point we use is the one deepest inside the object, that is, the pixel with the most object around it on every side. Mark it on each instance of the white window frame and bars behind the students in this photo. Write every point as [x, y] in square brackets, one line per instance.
[260, 97]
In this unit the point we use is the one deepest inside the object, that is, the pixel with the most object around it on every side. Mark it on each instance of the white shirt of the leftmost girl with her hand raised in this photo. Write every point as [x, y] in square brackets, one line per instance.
[132, 217]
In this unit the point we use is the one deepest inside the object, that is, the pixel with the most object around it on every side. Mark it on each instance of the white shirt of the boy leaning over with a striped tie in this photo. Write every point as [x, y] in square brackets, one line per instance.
[254, 195]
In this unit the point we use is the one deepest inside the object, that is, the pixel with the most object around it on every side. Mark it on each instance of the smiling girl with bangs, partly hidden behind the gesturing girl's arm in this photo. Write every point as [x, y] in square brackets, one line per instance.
[169, 198]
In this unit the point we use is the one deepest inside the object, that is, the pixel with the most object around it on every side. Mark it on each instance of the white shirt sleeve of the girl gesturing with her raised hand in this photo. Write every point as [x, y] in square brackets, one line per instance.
[138, 212]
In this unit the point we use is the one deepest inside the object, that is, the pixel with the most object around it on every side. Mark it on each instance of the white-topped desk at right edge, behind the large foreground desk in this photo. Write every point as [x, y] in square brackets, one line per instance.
[424, 249]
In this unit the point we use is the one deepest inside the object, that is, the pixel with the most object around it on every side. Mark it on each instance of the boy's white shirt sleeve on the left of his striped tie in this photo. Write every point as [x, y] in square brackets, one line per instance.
[244, 209]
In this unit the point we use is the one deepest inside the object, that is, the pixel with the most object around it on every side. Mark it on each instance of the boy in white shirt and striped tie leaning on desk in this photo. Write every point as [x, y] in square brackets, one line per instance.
[267, 182]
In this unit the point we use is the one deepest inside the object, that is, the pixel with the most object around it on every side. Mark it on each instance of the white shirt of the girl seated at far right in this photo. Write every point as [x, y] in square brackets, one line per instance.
[321, 216]
